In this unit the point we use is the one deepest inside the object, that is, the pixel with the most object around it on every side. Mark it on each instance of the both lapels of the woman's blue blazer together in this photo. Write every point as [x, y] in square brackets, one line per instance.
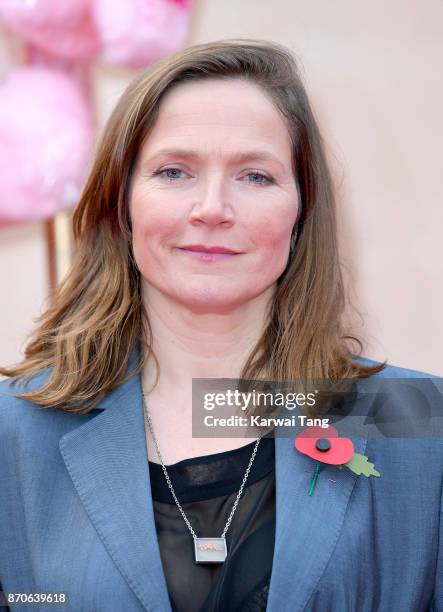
[106, 458]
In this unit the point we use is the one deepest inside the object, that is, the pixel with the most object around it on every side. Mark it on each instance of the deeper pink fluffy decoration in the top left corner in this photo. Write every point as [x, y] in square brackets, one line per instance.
[63, 28]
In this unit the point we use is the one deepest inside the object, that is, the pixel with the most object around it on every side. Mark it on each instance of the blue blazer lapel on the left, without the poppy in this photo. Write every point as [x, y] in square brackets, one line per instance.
[107, 461]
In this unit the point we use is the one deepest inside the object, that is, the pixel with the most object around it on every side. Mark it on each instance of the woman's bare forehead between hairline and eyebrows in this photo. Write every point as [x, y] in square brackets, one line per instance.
[221, 114]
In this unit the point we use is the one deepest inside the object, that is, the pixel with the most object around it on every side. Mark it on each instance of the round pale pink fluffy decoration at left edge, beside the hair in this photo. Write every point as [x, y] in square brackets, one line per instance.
[46, 138]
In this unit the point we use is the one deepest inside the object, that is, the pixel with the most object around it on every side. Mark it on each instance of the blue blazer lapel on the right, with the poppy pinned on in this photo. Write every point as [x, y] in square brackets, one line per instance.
[307, 527]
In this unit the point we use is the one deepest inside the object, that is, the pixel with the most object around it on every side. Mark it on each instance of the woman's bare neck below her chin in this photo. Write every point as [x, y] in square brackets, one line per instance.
[190, 345]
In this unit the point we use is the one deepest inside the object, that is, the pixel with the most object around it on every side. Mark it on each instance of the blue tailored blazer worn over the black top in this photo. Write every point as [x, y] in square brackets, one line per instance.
[76, 515]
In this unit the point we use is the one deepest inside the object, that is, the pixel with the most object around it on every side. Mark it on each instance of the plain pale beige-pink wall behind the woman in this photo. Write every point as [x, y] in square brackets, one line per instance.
[373, 74]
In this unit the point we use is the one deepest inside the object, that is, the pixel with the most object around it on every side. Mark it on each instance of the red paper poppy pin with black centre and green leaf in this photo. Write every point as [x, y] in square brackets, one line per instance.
[326, 446]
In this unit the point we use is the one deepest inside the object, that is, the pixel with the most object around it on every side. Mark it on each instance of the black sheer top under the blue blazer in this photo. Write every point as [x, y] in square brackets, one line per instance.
[206, 488]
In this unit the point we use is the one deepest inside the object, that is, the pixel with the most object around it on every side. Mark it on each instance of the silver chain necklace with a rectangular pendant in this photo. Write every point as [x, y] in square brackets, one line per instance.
[206, 550]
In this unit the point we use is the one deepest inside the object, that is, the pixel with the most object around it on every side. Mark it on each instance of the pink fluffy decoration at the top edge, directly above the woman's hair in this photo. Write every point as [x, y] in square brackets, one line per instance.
[135, 33]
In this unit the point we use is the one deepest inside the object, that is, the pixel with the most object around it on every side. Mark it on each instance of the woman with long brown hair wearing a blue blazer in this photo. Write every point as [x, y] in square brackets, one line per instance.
[206, 248]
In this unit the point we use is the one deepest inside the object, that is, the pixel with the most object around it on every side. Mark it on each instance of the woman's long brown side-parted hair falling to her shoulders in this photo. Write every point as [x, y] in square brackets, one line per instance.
[96, 317]
